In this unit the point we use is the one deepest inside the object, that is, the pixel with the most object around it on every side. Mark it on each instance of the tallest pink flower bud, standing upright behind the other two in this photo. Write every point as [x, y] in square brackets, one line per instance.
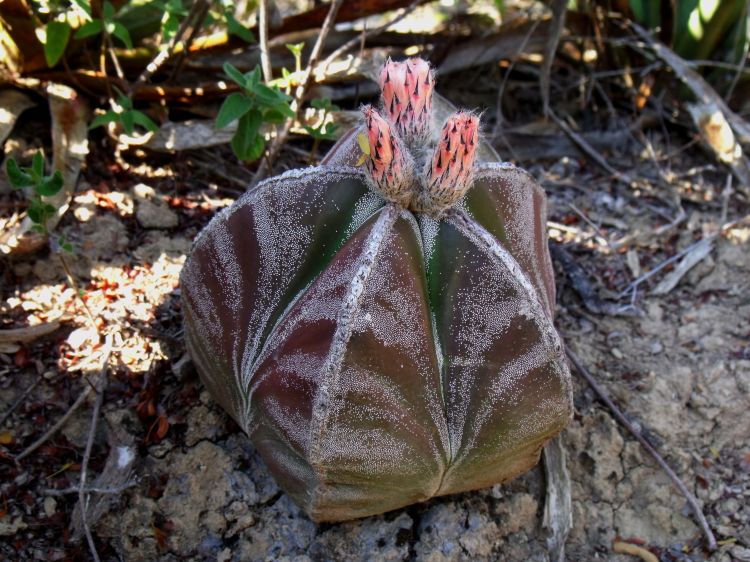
[407, 97]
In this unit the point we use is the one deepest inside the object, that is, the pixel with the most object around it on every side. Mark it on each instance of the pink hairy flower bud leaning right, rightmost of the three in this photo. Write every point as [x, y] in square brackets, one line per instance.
[450, 171]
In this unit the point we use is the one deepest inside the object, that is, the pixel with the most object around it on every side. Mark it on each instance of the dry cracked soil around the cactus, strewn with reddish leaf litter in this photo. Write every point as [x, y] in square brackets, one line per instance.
[680, 369]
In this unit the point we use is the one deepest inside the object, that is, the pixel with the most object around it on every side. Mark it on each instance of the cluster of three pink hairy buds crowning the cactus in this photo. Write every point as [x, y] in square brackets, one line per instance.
[408, 162]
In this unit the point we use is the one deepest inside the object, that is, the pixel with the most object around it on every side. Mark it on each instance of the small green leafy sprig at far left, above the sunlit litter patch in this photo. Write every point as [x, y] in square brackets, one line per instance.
[39, 186]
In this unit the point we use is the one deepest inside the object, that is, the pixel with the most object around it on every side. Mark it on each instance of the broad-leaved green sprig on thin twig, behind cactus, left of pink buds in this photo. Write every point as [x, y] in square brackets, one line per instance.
[256, 104]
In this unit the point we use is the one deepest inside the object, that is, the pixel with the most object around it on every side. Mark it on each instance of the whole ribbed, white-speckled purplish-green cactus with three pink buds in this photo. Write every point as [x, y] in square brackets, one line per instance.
[384, 332]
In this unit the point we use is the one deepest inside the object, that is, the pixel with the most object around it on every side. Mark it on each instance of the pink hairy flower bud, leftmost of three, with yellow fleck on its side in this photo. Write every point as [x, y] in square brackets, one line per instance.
[389, 164]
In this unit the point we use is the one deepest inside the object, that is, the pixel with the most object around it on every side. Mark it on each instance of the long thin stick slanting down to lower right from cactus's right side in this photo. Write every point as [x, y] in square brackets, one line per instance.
[620, 417]
